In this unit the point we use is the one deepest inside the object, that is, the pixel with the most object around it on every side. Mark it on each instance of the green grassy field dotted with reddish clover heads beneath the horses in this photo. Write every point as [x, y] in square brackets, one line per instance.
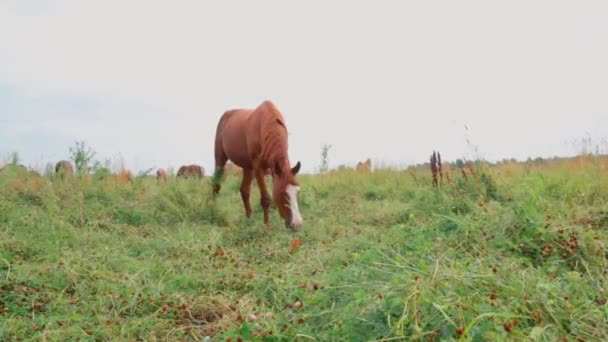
[514, 252]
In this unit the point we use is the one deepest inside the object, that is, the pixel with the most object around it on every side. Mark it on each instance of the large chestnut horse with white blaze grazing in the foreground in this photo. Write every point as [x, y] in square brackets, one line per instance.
[256, 141]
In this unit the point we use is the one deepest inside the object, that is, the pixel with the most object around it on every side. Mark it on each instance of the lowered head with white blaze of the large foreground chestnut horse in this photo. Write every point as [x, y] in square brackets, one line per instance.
[285, 193]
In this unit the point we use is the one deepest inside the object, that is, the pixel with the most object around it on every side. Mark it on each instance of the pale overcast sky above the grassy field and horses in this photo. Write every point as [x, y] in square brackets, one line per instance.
[387, 80]
